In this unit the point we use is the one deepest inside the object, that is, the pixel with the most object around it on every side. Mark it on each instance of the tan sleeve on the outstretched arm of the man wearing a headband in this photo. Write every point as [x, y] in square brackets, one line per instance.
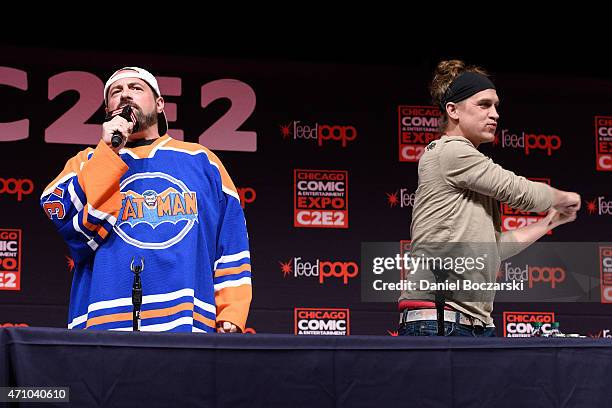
[465, 167]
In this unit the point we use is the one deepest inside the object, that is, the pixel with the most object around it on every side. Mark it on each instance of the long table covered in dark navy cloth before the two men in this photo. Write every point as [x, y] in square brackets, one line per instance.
[125, 369]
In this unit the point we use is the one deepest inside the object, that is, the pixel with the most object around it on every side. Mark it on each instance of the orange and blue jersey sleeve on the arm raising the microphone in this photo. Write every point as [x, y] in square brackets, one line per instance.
[83, 202]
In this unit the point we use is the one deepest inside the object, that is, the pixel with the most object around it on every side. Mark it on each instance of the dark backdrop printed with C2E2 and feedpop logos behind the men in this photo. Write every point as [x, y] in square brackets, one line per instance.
[324, 157]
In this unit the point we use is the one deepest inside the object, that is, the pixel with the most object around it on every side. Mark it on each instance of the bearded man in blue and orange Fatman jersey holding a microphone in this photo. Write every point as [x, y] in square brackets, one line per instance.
[161, 203]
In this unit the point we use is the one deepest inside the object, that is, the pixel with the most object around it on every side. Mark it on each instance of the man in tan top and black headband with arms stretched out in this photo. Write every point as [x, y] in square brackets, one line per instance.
[457, 202]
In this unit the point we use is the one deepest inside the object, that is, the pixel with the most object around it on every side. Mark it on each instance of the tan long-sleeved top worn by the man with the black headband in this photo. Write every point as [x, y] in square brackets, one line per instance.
[457, 200]
